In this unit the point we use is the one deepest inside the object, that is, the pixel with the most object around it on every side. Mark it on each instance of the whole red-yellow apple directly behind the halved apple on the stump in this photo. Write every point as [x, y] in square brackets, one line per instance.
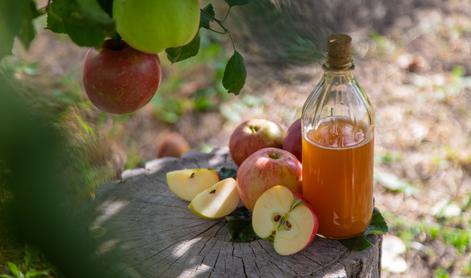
[264, 169]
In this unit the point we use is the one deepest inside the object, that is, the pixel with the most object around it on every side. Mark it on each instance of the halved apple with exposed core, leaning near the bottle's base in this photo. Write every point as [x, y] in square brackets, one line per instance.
[283, 218]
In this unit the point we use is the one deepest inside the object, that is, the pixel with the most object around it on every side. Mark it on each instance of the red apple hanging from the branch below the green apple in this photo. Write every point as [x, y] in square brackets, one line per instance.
[119, 79]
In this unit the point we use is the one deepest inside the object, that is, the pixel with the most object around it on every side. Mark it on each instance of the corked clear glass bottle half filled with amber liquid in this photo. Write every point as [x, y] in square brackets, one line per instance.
[338, 146]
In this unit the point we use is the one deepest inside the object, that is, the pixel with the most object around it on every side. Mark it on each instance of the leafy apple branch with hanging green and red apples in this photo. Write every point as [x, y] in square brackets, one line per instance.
[123, 72]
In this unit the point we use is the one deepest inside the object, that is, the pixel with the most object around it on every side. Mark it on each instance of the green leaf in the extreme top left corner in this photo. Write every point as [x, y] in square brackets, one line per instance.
[15, 20]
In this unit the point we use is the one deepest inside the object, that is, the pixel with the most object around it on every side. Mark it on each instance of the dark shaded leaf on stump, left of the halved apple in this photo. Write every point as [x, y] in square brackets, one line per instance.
[240, 225]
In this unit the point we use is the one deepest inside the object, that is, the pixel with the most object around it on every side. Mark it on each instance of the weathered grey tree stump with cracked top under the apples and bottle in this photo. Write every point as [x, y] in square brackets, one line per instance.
[160, 237]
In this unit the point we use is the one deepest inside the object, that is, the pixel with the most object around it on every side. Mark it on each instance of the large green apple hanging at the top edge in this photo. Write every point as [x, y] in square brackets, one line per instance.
[154, 25]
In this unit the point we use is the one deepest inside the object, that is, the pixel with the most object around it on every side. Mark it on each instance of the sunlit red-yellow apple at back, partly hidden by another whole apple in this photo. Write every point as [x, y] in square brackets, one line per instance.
[253, 135]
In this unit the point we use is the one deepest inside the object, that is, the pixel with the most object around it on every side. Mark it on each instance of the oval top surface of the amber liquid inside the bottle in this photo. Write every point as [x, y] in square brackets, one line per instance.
[337, 132]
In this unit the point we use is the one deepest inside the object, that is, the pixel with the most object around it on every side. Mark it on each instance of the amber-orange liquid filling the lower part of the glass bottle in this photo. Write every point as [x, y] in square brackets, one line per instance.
[338, 176]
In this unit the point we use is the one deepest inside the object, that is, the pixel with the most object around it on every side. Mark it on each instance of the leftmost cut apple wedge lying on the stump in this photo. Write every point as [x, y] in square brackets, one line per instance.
[186, 184]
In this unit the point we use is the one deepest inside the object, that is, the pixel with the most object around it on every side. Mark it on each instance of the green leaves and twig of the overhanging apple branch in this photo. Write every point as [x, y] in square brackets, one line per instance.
[89, 23]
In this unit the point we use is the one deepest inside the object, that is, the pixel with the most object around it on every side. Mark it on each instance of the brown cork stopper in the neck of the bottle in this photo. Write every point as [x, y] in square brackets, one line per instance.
[339, 52]
